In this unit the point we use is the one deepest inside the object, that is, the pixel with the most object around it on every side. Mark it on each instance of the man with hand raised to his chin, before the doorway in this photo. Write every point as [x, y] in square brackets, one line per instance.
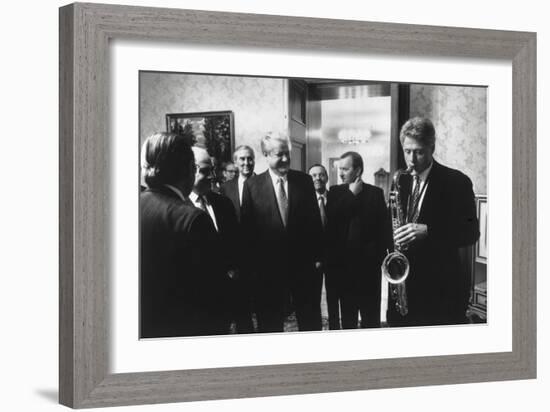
[359, 231]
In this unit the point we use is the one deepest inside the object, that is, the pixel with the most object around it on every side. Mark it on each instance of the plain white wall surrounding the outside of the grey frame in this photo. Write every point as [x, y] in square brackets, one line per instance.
[28, 302]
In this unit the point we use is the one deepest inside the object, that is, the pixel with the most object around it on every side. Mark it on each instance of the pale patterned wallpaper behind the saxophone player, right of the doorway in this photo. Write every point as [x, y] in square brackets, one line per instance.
[459, 115]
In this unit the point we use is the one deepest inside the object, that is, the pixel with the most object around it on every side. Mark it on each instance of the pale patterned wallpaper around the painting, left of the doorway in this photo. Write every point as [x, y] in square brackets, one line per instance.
[259, 104]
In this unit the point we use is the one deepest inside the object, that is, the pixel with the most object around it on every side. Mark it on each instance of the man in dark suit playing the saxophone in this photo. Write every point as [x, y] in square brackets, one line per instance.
[440, 206]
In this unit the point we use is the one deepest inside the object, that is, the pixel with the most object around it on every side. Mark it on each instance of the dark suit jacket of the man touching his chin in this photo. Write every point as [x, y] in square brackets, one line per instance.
[358, 229]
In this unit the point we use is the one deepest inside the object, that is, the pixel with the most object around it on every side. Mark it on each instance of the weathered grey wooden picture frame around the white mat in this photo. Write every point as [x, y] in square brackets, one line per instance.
[85, 32]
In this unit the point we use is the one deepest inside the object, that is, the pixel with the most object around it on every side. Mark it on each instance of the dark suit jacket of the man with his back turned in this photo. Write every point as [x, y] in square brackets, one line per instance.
[180, 281]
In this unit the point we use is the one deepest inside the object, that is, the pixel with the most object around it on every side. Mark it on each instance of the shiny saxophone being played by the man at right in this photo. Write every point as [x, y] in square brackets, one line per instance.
[395, 266]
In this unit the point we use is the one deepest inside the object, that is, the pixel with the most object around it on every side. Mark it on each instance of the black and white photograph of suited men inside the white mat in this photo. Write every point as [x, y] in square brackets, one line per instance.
[281, 205]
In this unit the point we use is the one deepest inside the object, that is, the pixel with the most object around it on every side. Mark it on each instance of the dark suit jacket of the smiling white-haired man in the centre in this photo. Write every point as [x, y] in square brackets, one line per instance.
[274, 249]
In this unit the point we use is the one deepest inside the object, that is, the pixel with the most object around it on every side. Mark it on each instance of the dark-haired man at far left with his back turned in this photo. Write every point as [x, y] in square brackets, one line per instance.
[180, 283]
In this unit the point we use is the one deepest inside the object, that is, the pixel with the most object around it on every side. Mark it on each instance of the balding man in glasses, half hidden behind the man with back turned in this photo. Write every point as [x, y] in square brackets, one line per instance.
[221, 211]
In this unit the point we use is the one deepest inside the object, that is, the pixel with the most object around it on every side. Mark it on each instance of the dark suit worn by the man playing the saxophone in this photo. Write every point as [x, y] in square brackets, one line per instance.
[437, 288]
